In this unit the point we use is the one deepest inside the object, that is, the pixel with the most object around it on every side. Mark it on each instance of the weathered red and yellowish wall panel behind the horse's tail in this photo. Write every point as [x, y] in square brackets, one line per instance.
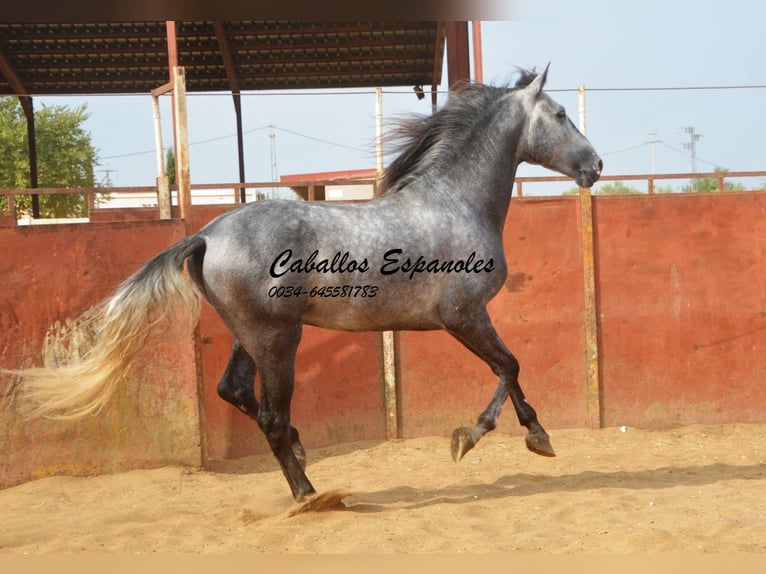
[54, 272]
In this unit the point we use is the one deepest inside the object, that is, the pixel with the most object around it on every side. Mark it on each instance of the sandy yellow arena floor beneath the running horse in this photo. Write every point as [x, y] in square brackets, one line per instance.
[698, 489]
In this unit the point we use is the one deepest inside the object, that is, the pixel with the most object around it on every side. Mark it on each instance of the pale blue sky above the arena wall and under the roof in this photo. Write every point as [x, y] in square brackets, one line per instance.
[608, 46]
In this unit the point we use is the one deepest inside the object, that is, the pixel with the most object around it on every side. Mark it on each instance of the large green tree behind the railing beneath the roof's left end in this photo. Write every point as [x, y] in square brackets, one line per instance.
[65, 156]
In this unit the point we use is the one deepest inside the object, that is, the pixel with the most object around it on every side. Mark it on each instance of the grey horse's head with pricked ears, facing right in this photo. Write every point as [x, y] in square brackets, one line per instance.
[552, 140]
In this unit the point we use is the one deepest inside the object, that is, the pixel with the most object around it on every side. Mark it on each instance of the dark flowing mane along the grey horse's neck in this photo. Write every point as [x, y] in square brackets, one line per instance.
[421, 139]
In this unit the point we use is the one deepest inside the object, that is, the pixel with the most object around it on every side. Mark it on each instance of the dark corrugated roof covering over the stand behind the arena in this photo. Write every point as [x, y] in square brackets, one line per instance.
[130, 57]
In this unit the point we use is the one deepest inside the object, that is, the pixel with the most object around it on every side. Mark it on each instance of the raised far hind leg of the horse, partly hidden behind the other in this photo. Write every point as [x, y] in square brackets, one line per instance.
[236, 387]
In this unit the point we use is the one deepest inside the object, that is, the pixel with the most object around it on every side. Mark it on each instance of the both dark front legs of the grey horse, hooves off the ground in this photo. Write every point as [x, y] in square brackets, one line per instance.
[478, 335]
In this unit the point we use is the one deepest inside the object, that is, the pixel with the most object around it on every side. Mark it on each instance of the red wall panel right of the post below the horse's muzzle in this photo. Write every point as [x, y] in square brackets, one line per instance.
[682, 306]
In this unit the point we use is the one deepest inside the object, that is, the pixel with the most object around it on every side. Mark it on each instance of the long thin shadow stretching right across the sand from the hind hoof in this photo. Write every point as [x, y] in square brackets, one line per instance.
[523, 484]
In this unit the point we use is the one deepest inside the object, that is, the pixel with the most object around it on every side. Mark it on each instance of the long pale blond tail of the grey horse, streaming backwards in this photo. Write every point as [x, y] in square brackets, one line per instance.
[145, 308]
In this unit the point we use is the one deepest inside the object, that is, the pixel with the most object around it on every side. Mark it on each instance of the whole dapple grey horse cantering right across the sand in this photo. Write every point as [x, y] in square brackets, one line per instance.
[425, 254]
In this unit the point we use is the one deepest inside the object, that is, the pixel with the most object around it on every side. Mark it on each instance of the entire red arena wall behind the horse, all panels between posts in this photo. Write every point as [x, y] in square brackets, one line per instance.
[681, 315]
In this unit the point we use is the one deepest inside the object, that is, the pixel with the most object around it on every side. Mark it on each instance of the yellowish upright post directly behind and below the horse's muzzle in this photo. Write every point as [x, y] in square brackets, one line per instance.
[590, 318]
